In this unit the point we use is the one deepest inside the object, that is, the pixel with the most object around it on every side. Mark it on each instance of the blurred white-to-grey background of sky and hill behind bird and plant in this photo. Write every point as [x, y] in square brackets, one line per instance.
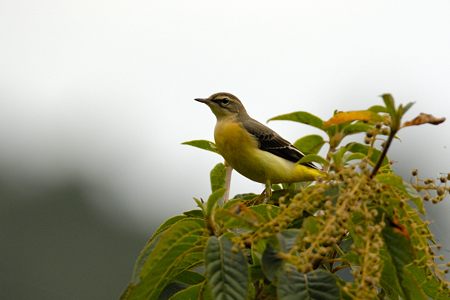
[96, 97]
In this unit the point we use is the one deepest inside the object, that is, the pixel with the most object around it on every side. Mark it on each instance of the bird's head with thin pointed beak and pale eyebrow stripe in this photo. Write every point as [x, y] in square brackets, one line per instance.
[224, 105]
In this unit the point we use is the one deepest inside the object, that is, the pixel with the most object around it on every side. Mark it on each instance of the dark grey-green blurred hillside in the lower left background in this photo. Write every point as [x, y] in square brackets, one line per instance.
[55, 246]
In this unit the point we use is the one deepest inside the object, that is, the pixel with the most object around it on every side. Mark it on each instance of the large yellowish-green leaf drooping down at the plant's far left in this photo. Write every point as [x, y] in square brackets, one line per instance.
[177, 249]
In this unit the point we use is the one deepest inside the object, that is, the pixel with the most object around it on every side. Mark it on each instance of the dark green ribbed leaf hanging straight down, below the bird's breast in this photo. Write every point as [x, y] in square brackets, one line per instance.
[226, 269]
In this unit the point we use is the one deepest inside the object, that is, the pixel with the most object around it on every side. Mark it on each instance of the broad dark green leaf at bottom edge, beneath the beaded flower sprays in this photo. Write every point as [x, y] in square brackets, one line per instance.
[316, 285]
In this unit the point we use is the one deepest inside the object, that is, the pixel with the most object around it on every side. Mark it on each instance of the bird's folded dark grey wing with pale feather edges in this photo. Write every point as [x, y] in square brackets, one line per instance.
[272, 142]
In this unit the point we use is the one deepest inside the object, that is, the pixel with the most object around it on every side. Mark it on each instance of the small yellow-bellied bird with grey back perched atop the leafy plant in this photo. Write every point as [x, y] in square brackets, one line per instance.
[253, 149]
